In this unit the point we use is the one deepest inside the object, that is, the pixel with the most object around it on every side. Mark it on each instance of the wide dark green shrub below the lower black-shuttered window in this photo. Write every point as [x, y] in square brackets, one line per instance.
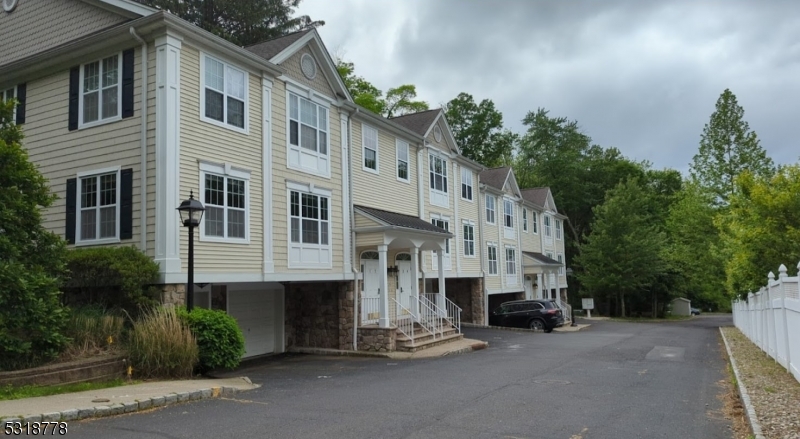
[112, 278]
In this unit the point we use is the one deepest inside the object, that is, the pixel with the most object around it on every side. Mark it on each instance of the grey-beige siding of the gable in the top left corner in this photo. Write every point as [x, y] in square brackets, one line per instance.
[37, 25]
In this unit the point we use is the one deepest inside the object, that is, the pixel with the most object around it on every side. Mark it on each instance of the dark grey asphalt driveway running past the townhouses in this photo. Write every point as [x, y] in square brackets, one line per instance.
[612, 380]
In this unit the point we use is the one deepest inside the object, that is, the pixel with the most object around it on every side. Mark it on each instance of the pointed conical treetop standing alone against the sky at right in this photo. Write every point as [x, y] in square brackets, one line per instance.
[728, 147]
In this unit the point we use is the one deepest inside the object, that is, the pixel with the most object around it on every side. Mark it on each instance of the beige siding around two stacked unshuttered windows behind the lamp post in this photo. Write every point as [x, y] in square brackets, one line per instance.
[203, 141]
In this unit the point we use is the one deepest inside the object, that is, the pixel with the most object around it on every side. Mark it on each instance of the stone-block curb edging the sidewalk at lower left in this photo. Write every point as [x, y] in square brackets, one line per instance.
[127, 407]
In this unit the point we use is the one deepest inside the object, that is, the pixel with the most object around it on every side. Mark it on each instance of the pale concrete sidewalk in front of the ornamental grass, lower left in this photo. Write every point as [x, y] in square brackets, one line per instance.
[118, 400]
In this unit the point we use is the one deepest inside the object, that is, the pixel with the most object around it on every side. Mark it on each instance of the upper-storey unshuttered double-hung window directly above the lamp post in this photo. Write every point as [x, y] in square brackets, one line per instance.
[224, 94]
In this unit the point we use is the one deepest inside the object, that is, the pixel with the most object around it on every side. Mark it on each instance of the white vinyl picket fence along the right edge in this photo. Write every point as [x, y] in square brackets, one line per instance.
[770, 318]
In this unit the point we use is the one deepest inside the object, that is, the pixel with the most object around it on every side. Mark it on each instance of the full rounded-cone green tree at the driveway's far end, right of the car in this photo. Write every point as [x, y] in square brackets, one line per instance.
[622, 257]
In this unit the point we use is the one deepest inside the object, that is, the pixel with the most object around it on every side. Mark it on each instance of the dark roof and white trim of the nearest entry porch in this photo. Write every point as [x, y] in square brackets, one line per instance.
[397, 230]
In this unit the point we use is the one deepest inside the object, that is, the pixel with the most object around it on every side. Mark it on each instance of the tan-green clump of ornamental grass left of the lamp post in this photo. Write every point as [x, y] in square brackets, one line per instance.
[161, 345]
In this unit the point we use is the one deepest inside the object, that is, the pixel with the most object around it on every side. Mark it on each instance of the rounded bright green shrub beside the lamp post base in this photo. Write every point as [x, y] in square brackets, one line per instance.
[218, 335]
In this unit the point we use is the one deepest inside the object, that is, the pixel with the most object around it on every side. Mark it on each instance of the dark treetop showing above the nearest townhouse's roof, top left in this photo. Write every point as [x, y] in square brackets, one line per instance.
[242, 22]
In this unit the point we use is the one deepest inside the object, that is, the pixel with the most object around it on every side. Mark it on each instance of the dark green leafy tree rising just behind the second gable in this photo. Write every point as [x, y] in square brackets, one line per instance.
[478, 131]
